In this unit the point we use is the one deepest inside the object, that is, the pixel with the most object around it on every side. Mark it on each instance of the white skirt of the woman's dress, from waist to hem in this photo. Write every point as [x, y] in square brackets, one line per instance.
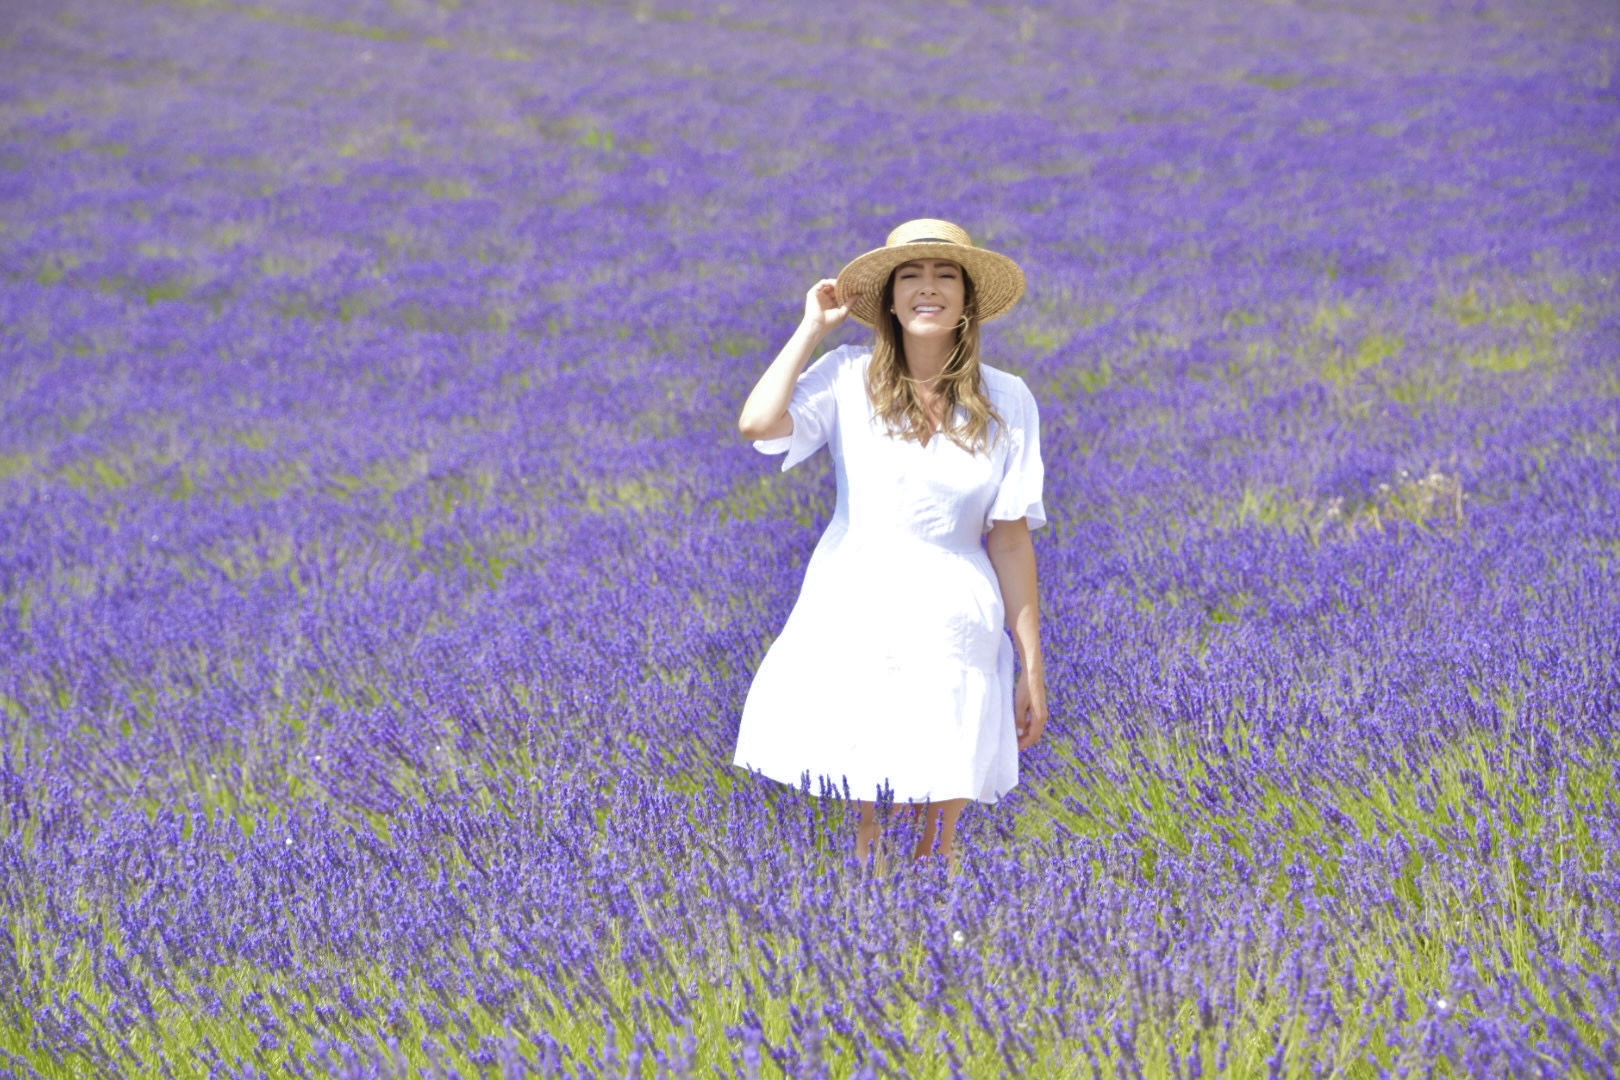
[893, 674]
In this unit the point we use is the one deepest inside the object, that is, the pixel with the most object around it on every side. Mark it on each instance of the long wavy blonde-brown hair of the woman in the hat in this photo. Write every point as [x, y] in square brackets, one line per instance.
[893, 389]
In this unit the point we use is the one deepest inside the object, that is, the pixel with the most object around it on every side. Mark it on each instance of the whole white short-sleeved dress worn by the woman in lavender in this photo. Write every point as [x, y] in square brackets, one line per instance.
[895, 668]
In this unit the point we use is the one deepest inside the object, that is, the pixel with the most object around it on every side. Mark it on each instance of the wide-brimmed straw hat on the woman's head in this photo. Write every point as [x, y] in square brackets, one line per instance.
[997, 279]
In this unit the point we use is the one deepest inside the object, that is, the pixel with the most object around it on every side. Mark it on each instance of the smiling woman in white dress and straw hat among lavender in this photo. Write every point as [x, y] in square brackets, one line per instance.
[893, 674]
